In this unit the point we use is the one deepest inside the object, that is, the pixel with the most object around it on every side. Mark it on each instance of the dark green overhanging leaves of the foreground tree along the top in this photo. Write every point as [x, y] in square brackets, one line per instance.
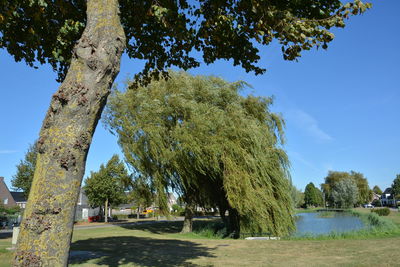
[164, 33]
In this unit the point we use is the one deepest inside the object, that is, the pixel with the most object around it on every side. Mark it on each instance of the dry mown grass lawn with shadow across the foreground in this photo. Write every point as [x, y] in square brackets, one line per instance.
[160, 244]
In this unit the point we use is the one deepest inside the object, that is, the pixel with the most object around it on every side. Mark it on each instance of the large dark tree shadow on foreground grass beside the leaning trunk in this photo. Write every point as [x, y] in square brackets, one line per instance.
[142, 251]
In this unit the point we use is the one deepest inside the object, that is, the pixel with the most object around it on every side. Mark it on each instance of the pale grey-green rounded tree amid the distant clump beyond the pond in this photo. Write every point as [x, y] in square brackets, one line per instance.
[345, 193]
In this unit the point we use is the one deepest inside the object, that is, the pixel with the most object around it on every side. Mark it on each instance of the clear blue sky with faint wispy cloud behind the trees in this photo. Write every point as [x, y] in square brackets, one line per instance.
[341, 106]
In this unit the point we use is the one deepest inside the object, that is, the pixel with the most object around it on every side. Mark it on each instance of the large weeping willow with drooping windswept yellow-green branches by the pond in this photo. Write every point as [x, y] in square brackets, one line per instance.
[197, 135]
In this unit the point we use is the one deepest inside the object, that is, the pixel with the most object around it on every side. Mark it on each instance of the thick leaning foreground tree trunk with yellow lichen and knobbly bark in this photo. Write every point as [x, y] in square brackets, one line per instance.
[65, 138]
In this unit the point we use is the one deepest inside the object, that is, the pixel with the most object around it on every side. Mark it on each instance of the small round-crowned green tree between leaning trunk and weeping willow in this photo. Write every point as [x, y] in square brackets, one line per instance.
[106, 187]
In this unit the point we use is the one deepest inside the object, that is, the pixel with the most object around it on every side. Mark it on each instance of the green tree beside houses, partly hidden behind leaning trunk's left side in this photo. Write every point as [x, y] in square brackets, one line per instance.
[22, 180]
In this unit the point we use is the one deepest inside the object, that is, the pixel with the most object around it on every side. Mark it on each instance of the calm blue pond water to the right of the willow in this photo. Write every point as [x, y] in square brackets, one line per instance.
[310, 223]
